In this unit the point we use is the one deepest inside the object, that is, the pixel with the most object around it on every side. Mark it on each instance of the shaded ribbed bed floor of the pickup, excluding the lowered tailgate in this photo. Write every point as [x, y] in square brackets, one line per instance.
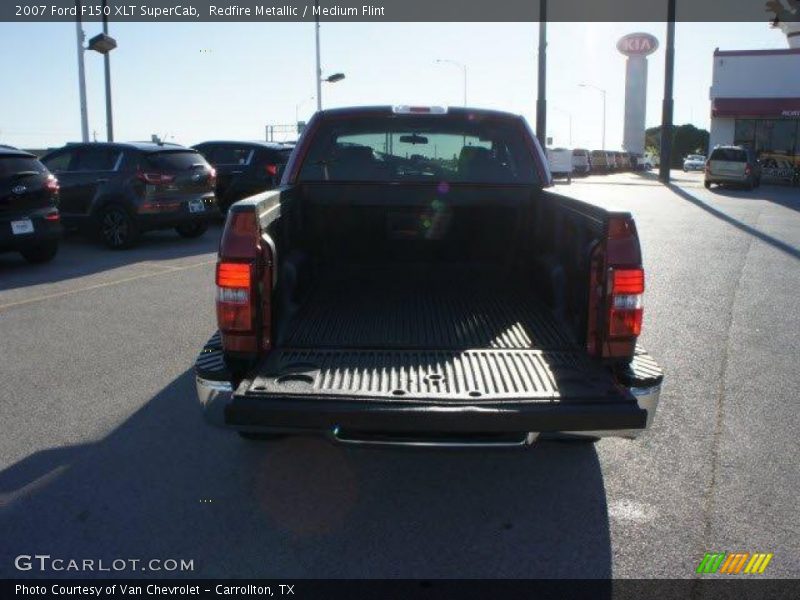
[426, 309]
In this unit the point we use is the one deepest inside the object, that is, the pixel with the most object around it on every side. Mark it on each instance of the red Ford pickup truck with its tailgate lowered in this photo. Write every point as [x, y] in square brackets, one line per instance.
[412, 282]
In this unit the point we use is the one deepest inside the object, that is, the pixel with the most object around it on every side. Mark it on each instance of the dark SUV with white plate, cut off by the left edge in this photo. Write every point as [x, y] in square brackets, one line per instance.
[29, 218]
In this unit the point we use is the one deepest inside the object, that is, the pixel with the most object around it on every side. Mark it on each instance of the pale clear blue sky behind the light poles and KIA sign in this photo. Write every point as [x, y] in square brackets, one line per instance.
[190, 82]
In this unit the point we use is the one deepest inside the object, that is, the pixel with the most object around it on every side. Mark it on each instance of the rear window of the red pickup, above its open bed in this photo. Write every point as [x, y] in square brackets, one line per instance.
[420, 149]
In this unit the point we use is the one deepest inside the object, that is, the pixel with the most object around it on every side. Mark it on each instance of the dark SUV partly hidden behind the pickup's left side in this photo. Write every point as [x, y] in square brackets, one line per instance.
[244, 168]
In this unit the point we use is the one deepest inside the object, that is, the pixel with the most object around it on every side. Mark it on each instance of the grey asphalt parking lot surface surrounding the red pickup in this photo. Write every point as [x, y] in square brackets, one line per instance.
[105, 453]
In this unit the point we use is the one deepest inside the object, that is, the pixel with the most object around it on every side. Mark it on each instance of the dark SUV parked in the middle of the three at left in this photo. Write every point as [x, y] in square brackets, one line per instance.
[122, 190]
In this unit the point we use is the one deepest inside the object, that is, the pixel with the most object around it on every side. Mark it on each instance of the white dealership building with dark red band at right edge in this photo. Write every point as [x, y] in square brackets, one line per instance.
[755, 102]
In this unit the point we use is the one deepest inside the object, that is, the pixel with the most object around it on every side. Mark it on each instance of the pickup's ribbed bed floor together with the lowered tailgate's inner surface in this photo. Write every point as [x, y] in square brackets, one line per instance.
[428, 334]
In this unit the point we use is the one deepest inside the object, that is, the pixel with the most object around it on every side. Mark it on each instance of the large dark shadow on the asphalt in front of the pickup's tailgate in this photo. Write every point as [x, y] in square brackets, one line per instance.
[165, 485]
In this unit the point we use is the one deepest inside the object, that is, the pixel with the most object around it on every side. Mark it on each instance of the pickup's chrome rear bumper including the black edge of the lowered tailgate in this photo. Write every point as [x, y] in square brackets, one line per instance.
[346, 418]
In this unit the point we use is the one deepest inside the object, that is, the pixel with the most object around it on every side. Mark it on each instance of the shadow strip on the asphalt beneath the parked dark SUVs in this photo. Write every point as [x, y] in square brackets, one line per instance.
[80, 256]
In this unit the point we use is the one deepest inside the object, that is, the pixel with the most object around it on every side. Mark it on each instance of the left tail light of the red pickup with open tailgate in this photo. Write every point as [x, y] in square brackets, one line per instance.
[234, 295]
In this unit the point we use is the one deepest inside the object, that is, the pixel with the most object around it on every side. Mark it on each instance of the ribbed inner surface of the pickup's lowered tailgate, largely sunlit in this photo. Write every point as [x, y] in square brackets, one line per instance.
[471, 377]
